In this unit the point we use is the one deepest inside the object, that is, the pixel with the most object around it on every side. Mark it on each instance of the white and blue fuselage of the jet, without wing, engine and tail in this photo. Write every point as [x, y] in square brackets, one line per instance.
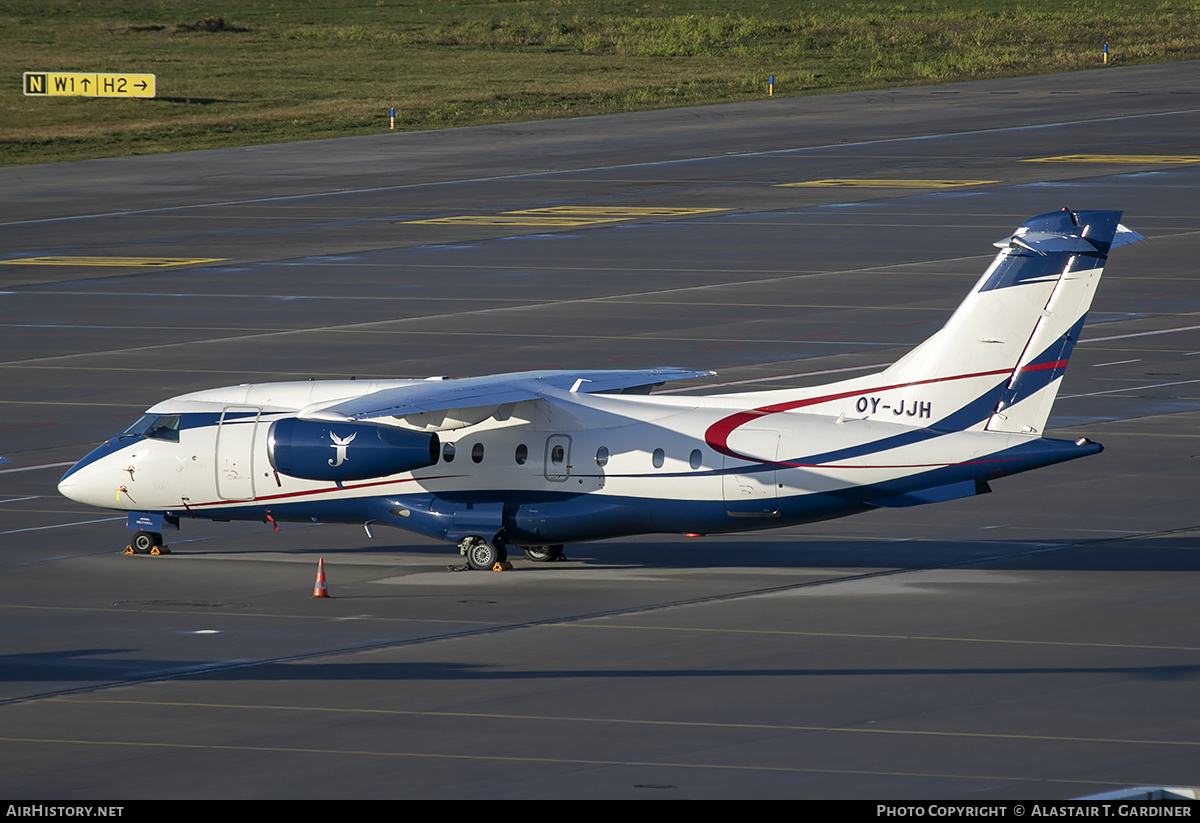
[550, 477]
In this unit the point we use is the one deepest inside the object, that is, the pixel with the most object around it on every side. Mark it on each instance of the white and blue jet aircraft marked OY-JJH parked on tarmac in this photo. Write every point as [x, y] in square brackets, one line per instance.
[536, 460]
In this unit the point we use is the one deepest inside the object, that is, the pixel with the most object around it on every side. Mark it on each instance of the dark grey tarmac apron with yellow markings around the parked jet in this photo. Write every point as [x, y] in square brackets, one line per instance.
[1039, 642]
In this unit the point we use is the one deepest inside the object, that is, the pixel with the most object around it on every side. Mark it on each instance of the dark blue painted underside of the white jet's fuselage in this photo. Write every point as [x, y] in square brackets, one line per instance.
[560, 518]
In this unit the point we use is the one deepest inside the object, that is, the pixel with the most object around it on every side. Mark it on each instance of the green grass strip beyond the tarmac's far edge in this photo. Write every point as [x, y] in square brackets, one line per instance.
[245, 73]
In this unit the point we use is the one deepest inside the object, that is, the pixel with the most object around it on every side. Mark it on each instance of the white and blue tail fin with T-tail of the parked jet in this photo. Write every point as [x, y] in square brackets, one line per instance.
[998, 363]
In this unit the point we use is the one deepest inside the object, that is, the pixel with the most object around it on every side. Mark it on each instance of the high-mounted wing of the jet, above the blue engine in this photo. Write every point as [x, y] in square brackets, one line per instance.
[471, 393]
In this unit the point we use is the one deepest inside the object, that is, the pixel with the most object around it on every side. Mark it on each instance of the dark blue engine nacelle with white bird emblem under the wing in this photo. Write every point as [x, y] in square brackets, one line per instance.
[320, 450]
